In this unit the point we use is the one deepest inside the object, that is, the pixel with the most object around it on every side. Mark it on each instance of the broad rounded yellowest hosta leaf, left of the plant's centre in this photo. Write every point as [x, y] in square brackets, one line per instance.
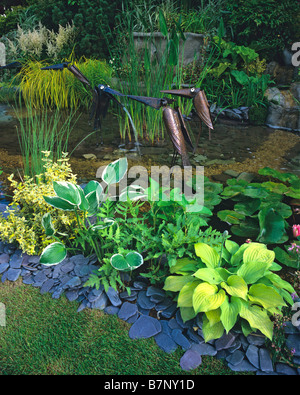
[206, 297]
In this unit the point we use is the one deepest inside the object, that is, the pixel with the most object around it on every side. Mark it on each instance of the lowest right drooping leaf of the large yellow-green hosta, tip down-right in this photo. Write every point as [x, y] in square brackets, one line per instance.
[257, 317]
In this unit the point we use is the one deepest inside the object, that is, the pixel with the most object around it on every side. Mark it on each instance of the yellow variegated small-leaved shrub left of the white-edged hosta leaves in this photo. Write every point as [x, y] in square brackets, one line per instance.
[23, 224]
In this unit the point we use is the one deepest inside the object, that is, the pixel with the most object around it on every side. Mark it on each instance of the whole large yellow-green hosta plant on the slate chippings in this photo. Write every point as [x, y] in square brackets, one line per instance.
[230, 285]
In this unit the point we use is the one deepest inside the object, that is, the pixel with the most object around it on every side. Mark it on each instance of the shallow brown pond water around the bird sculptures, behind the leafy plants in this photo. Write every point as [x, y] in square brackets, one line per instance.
[236, 146]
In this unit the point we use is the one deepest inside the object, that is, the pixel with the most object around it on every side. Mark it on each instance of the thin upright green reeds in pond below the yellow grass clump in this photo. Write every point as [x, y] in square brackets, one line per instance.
[43, 130]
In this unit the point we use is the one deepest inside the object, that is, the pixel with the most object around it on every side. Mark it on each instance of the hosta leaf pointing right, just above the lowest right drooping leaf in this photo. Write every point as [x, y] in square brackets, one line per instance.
[266, 296]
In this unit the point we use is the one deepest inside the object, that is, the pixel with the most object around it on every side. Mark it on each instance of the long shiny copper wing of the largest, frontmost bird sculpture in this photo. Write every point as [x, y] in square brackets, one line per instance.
[174, 128]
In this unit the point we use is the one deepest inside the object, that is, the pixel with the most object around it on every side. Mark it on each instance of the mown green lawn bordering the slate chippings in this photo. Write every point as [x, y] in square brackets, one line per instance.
[45, 336]
